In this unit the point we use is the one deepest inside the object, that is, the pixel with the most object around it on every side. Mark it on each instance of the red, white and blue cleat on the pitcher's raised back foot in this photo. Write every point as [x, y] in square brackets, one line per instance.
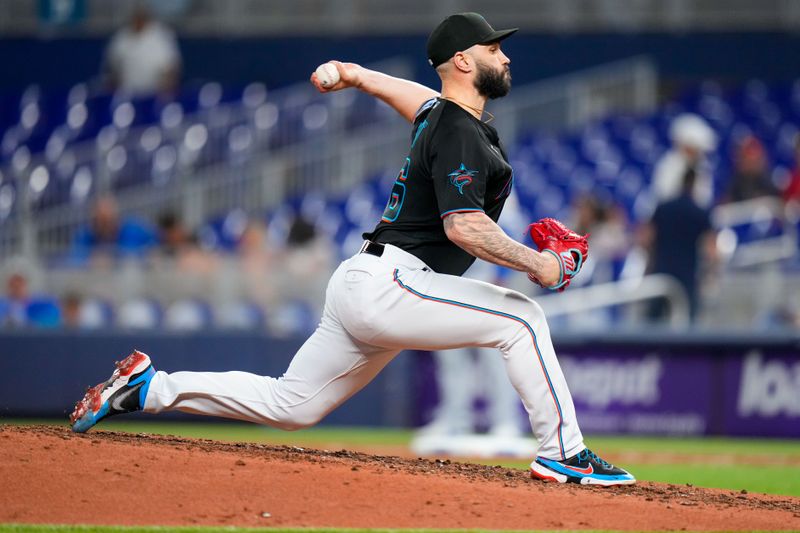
[124, 392]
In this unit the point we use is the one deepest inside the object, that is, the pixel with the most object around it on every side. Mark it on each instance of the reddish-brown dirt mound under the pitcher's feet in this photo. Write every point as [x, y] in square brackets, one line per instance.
[50, 475]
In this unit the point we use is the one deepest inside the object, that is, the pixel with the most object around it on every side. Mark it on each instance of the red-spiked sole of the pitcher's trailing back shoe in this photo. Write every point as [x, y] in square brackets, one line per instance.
[92, 408]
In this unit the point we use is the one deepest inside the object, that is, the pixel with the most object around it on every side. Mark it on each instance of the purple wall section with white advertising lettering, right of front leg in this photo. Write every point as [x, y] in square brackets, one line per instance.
[721, 385]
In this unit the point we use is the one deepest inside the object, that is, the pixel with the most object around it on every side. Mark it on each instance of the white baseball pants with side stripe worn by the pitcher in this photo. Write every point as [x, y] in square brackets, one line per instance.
[375, 307]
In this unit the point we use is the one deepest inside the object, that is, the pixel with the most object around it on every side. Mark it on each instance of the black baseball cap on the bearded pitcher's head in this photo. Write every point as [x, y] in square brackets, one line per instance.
[459, 32]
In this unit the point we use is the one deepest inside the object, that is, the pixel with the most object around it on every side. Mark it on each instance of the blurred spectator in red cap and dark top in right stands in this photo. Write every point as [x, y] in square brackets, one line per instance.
[751, 176]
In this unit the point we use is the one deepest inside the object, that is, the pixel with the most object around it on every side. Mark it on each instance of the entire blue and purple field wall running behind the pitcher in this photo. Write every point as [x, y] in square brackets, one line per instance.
[639, 384]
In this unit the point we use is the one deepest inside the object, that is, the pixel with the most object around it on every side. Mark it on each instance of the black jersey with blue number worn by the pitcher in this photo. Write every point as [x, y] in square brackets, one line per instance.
[456, 164]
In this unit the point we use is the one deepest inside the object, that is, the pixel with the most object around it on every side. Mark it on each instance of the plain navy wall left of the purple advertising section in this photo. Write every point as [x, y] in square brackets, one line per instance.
[42, 374]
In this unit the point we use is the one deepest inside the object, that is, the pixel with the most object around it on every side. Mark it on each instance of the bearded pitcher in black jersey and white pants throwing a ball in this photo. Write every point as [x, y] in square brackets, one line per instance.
[404, 289]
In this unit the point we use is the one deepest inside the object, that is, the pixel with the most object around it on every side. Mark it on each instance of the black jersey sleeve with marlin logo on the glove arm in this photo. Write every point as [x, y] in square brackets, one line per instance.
[459, 171]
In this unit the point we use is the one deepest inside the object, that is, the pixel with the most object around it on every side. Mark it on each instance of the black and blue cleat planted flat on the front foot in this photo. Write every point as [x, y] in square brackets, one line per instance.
[585, 468]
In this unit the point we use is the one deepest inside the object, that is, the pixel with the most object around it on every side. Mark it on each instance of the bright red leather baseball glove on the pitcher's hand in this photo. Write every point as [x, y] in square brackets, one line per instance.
[570, 248]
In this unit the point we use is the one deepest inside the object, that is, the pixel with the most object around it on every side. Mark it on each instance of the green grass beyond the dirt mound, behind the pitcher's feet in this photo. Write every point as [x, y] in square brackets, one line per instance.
[695, 467]
